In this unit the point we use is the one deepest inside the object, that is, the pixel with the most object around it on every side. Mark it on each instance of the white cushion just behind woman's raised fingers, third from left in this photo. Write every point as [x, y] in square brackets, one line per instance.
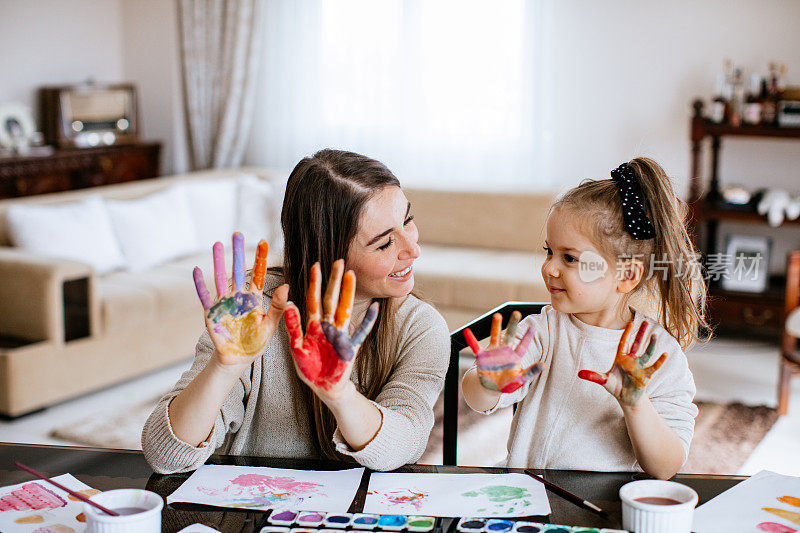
[213, 204]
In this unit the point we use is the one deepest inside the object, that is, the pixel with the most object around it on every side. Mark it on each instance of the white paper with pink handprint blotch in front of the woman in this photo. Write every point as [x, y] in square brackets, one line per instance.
[257, 487]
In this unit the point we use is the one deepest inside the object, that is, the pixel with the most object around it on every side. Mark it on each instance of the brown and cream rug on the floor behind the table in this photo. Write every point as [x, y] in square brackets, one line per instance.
[725, 434]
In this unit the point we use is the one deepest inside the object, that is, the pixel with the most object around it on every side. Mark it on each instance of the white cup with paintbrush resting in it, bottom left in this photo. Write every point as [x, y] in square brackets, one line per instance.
[148, 521]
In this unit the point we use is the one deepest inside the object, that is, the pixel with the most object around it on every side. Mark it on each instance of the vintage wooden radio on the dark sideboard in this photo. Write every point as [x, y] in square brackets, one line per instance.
[89, 115]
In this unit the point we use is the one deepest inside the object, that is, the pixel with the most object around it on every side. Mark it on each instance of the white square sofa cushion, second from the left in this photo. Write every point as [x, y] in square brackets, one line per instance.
[154, 229]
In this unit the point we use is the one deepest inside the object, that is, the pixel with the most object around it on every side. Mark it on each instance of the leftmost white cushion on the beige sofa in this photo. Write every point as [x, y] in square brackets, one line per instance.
[80, 231]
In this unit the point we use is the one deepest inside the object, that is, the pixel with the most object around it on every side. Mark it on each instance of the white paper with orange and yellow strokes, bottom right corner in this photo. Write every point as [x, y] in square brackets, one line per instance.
[765, 502]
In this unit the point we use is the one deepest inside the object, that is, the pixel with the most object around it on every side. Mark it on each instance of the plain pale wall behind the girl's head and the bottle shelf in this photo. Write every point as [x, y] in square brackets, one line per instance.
[627, 71]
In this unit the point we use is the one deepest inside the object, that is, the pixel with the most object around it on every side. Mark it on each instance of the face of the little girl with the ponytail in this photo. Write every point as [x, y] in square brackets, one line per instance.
[581, 280]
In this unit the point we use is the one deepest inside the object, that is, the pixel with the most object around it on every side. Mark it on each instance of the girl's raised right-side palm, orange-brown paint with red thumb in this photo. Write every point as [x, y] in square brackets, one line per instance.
[628, 376]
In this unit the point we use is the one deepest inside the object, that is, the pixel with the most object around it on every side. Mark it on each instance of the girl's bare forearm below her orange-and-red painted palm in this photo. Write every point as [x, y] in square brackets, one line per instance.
[658, 448]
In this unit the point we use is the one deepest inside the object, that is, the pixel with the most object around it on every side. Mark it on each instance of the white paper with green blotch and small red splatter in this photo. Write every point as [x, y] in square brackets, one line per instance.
[450, 495]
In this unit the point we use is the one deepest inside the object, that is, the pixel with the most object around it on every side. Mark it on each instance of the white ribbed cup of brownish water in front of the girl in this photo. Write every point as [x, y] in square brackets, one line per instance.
[641, 517]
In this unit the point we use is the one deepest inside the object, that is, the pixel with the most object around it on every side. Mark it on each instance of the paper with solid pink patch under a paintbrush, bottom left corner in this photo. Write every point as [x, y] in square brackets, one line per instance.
[37, 504]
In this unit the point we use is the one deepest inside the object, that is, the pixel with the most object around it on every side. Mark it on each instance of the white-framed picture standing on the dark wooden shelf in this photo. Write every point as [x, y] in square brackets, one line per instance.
[747, 261]
